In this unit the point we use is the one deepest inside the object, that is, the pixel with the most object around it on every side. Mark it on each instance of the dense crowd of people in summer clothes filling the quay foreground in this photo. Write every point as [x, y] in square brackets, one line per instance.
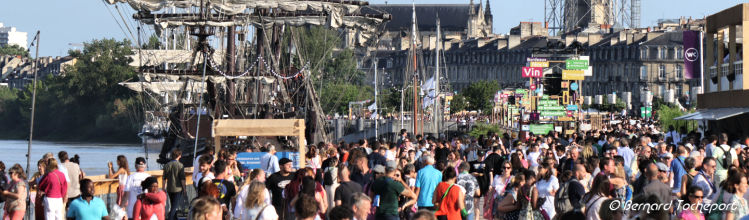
[622, 171]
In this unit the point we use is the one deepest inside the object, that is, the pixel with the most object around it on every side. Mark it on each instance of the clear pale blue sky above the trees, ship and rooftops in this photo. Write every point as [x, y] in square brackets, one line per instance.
[64, 24]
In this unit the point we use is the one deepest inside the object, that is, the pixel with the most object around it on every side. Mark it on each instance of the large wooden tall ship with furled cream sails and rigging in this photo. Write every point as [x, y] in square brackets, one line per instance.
[219, 75]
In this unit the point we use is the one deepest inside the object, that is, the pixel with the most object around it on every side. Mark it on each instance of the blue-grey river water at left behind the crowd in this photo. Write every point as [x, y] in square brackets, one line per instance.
[94, 156]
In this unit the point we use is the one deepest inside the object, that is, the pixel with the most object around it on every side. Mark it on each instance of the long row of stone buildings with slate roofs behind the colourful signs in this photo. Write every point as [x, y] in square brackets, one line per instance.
[630, 60]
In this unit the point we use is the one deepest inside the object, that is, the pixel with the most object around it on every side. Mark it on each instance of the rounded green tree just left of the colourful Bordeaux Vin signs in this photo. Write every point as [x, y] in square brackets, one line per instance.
[479, 95]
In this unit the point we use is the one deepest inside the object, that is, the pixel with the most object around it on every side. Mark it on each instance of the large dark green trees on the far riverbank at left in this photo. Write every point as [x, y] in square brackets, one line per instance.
[85, 103]
